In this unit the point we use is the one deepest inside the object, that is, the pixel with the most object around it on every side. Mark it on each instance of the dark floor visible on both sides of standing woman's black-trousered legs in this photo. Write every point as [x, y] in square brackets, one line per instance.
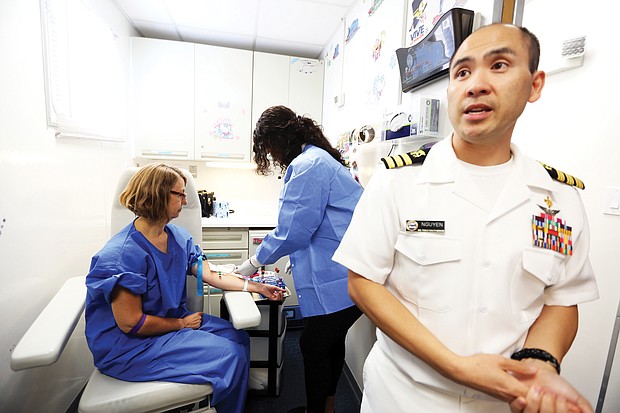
[292, 393]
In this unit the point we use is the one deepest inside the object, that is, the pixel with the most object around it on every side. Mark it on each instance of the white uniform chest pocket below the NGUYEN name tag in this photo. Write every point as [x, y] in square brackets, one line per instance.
[424, 265]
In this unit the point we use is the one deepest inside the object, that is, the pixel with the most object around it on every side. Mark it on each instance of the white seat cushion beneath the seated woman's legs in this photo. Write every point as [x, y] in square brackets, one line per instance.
[104, 394]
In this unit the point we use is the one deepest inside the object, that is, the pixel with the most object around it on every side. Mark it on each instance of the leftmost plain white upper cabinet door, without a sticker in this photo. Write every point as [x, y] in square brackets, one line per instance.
[163, 98]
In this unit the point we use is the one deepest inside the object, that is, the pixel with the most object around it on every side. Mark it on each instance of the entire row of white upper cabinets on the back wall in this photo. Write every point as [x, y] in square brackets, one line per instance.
[200, 102]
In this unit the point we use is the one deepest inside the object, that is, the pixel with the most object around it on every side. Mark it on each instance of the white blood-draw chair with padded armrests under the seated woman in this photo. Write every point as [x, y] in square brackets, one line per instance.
[44, 341]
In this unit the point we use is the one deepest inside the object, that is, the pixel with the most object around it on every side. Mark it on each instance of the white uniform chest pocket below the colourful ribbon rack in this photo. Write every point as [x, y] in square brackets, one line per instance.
[540, 269]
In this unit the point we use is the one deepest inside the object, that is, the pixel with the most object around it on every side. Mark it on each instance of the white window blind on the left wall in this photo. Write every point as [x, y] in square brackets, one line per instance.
[84, 72]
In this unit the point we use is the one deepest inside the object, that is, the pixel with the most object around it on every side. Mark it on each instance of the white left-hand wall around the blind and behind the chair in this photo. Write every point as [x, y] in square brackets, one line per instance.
[54, 209]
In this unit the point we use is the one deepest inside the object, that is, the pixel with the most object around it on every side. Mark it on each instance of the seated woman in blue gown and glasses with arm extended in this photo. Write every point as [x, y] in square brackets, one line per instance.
[137, 324]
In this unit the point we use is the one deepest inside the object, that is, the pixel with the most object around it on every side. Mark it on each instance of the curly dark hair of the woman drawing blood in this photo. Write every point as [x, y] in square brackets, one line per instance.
[280, 132]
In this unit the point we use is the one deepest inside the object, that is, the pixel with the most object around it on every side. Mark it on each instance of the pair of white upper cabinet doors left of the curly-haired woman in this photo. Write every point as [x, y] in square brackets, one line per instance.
[191, 101]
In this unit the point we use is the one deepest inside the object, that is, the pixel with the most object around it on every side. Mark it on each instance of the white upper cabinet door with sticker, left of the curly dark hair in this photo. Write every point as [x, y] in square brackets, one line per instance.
[223, 103]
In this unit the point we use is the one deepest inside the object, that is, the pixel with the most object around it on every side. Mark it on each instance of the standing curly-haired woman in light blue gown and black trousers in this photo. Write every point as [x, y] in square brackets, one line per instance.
[316, 205]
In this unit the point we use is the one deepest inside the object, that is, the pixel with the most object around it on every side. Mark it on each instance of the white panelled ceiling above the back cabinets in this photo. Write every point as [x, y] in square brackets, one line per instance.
[293, 27]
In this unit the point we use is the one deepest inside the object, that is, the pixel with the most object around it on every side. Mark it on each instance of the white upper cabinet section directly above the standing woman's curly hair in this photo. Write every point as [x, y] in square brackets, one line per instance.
[290, 81]
